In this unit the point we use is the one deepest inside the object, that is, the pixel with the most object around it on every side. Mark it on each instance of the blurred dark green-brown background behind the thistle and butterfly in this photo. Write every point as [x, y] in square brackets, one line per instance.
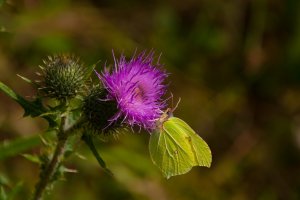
[235, 65]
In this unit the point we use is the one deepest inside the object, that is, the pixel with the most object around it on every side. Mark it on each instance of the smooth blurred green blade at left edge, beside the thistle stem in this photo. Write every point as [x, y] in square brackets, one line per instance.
[15, 147]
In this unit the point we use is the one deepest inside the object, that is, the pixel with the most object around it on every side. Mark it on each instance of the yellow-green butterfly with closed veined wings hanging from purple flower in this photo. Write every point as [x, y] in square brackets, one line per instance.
[176, 148]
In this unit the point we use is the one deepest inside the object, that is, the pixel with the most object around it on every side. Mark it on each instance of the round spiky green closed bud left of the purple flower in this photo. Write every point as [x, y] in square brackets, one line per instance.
[62, 77]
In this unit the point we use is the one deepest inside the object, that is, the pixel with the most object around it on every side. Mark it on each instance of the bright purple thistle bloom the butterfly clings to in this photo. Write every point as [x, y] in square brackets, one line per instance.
[137, 87]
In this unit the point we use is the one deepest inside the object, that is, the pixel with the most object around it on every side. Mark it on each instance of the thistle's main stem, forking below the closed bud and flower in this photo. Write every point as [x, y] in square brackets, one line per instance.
[51, 168]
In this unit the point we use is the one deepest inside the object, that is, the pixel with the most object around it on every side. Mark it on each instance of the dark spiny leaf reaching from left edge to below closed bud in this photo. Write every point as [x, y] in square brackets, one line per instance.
[31, 108]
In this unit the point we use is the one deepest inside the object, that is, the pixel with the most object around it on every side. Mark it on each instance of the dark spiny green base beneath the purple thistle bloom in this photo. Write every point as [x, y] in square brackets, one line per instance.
[100, 112]
